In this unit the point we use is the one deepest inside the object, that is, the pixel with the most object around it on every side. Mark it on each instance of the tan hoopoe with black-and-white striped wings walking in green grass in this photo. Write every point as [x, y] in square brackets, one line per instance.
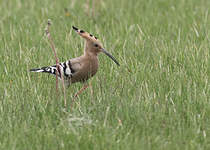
[81, 68]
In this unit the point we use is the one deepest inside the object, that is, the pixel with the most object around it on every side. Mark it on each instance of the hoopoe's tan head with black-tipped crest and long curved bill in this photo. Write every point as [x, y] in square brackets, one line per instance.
[93, 45]
